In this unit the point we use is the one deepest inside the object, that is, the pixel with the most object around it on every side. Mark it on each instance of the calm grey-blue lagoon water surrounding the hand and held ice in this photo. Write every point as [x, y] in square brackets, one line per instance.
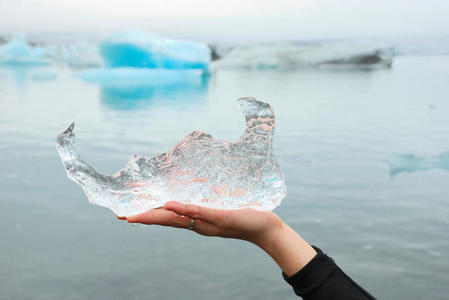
[334, 131]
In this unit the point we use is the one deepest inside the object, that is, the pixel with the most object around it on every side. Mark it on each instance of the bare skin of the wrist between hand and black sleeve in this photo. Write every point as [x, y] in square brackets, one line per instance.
[287, 248]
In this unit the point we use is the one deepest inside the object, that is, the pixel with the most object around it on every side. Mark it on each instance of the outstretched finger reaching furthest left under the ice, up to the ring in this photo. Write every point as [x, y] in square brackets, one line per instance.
[160, 217]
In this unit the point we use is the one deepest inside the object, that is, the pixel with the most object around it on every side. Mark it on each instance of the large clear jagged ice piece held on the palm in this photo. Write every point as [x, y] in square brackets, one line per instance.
[198, 170]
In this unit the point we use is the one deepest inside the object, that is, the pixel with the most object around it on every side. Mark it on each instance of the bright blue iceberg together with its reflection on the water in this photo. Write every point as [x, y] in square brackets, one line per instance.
[141, 67]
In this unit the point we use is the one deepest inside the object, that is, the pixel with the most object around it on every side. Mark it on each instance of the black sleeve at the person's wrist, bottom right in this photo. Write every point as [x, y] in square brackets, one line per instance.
[322, 279]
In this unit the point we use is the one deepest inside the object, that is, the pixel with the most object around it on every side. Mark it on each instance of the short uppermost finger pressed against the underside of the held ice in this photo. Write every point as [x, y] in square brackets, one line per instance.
[193, 211]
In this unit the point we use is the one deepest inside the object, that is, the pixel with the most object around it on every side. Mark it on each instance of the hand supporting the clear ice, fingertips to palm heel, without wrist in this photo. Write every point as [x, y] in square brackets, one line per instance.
[247, 224]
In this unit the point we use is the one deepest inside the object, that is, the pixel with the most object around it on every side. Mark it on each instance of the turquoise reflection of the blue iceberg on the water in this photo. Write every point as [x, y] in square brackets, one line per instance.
[130, 97]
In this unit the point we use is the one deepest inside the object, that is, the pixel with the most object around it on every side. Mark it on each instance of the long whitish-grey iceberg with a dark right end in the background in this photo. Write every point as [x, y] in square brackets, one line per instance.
[293, 55]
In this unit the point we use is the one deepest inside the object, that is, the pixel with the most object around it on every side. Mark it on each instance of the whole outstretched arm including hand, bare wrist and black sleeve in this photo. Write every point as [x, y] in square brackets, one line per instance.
[312, 274]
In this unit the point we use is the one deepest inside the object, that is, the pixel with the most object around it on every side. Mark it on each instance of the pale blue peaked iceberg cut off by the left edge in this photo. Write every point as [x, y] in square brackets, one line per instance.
[18, 52]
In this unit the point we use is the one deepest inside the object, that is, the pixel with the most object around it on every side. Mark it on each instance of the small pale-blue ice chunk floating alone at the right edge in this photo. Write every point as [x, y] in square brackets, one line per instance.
[411, 163]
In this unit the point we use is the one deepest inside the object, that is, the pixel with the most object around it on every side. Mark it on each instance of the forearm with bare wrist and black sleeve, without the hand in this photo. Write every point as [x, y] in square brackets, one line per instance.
[313, 275]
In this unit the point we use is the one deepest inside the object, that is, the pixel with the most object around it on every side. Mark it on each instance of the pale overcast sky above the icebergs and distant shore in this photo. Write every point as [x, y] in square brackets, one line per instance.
[231, 19]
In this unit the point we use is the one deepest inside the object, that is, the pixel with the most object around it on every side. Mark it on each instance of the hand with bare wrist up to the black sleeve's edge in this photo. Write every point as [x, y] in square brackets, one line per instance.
[263, 228]
